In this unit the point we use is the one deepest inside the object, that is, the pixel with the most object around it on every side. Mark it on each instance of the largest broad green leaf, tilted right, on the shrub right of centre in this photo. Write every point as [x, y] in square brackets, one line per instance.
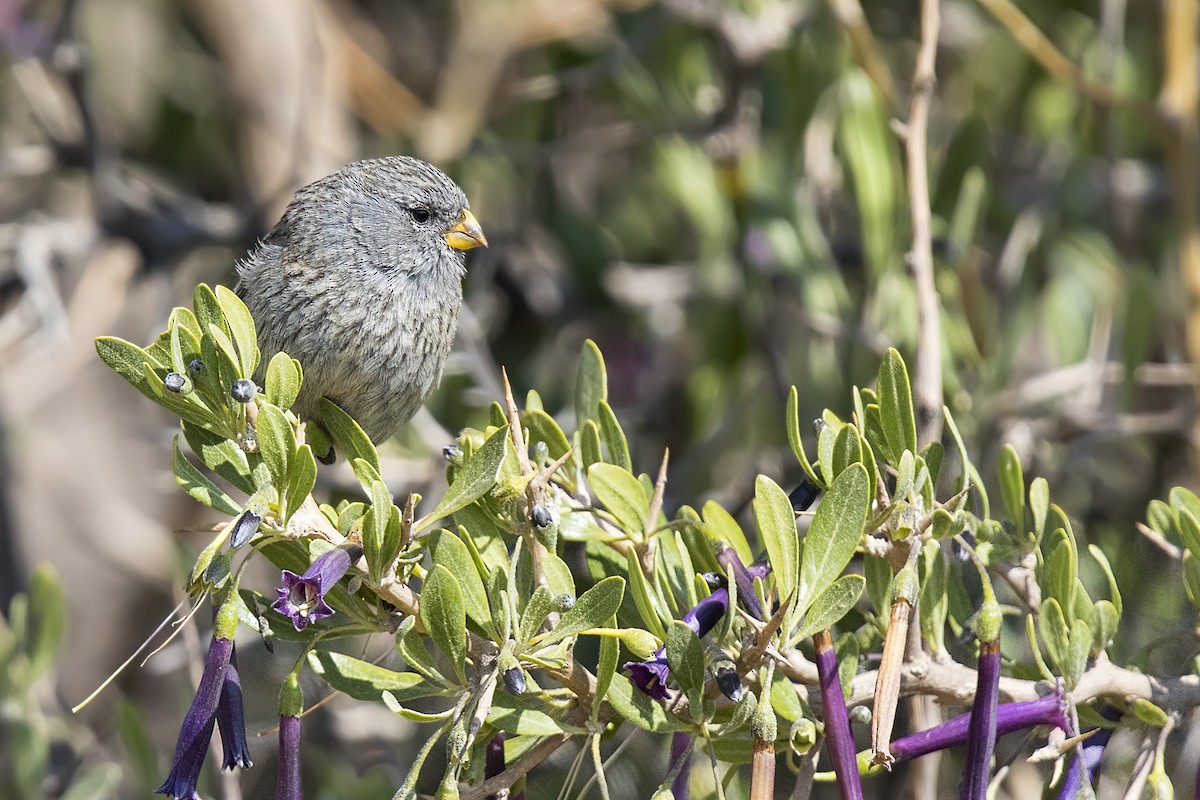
[835, 534]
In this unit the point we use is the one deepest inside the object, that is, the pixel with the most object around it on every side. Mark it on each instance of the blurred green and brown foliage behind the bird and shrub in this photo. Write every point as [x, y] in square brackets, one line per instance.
[712, 191]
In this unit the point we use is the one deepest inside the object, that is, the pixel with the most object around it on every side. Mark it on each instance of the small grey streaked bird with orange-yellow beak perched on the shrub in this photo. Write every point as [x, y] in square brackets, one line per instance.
[361, 281]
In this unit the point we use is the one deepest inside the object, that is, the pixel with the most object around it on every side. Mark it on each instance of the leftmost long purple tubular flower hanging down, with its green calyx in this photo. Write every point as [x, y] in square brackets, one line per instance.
[197, 729]
